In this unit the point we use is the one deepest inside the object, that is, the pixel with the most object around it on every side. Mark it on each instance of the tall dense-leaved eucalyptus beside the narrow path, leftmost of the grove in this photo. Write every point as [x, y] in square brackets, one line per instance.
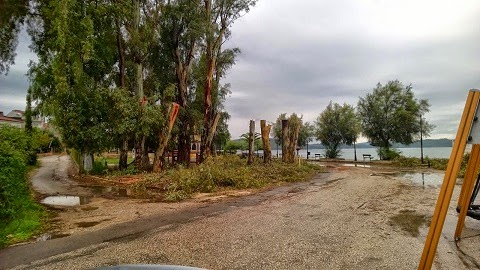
[71, 79]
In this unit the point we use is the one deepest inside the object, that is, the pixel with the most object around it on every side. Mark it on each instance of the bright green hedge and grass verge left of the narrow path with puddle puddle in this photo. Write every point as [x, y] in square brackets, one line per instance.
[20, 215]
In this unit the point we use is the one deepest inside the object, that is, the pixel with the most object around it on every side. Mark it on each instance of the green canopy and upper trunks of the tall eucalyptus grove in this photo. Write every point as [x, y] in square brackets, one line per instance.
[108, 70]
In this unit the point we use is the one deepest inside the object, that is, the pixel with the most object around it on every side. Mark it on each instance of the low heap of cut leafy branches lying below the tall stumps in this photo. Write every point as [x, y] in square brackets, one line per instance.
[226, 172]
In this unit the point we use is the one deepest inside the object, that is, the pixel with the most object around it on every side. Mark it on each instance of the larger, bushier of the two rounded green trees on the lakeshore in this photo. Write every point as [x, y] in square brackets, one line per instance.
[391, 114]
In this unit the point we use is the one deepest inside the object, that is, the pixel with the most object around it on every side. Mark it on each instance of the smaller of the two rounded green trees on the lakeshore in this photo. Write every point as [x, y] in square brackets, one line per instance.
[336, 125]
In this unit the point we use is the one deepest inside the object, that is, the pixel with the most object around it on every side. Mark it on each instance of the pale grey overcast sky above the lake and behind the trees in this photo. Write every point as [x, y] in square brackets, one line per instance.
[299, 55]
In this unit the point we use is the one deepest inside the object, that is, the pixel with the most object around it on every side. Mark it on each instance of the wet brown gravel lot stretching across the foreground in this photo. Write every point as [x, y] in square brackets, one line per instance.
[350, 218]
